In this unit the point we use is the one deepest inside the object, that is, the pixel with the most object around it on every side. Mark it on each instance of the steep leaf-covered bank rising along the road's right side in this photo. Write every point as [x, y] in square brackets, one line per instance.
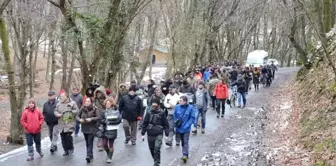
[314, 98]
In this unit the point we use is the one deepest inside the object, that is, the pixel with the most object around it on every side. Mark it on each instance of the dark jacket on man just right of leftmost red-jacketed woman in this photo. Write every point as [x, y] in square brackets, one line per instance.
[48, 112]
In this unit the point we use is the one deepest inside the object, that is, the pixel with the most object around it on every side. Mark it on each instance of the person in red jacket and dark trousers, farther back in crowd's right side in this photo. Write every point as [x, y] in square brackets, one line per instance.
[221, 92]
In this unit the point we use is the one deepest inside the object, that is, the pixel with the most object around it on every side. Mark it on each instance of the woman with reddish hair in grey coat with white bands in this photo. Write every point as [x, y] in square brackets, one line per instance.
[110, 119]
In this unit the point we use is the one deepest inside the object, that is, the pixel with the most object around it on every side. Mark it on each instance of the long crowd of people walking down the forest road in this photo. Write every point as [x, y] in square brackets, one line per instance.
[174, 107]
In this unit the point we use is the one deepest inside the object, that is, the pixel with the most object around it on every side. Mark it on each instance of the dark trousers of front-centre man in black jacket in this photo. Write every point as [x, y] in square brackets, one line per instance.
[155, 143]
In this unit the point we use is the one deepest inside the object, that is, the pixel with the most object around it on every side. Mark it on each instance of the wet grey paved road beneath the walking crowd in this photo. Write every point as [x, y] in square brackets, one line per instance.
[128, 155]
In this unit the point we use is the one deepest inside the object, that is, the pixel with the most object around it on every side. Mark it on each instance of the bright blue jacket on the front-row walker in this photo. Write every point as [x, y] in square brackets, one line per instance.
[186, 113]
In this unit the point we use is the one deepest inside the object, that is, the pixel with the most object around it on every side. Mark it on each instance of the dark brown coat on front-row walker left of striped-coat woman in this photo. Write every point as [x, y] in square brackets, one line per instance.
[92, 113]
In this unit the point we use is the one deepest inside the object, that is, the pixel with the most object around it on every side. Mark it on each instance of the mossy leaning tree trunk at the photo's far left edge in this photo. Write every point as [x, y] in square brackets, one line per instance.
[15, 127]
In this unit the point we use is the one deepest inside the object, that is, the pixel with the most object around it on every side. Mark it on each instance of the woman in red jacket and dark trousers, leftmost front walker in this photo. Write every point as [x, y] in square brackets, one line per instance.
[32, 120]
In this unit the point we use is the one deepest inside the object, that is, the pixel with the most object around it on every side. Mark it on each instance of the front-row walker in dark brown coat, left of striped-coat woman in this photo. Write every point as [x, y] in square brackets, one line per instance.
[88, 116]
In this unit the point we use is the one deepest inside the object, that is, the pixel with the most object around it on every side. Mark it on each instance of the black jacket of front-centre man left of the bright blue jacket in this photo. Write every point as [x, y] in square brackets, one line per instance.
[155, 123]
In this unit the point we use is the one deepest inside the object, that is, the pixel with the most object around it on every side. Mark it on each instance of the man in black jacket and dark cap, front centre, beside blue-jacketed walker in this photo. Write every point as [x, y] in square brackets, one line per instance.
[155, 124]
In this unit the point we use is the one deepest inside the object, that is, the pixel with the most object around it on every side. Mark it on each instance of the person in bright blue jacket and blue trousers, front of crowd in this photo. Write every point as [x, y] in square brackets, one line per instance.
[184, 117]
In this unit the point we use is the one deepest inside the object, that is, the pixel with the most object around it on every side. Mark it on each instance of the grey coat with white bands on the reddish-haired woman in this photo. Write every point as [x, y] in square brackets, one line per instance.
[109, 134]
